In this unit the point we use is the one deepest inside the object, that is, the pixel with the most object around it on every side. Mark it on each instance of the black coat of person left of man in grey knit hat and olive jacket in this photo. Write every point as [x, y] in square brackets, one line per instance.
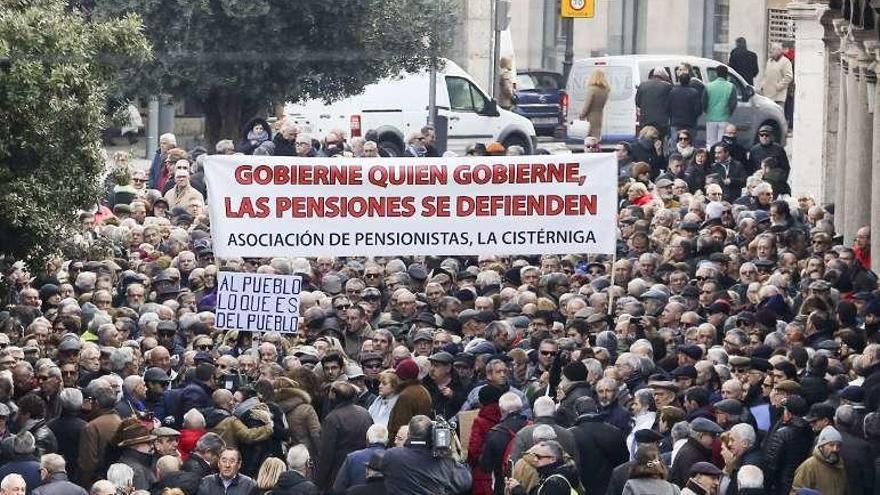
[785, 450]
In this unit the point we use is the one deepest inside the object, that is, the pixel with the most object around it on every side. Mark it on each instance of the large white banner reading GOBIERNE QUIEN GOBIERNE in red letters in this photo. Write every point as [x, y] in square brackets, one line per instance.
[289, 206]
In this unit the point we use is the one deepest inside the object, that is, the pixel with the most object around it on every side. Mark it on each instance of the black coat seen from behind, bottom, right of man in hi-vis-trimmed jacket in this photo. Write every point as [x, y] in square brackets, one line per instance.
[601, 448]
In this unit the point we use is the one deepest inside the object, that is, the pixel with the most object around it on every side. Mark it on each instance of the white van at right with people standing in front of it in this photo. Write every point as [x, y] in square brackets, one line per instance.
[626, 72]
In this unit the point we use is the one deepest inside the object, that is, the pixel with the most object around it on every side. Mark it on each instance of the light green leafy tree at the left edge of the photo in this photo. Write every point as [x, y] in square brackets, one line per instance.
[55, 66]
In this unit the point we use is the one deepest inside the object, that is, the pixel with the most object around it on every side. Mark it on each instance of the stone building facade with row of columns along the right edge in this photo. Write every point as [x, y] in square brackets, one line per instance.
[836, 139]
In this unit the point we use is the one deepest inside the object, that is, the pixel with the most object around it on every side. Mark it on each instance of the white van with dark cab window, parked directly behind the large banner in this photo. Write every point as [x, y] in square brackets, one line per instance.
[398, 106]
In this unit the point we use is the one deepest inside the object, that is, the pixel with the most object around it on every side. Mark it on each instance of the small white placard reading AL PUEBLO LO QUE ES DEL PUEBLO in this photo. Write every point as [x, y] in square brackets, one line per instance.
[257, 302]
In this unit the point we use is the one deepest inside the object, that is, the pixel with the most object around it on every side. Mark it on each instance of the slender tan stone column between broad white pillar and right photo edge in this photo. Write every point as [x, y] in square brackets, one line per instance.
[858, 150]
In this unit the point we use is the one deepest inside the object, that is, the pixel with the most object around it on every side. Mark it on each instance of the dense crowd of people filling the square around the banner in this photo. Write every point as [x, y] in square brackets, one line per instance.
[730, 347]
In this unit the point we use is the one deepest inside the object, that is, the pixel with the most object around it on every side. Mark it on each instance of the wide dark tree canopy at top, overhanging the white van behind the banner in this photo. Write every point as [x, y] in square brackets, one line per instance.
[239, 57]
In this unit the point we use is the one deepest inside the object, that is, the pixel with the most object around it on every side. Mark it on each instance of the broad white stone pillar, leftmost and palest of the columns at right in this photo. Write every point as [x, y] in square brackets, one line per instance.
[811, 73]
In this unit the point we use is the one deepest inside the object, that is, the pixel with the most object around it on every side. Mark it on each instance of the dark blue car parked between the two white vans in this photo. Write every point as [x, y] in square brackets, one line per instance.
[541, 98]
